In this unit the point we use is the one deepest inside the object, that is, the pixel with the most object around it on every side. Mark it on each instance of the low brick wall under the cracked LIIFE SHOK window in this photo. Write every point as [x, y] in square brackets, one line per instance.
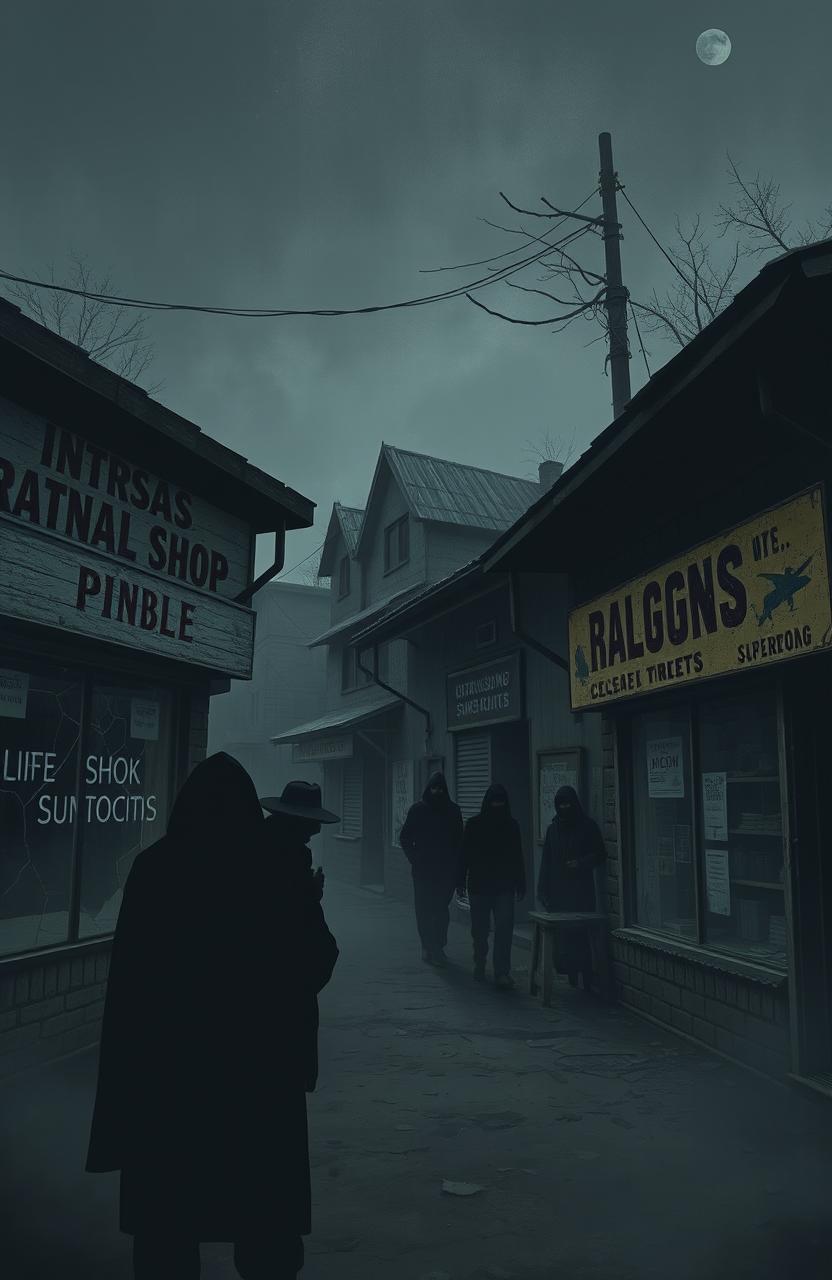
[48, 1011]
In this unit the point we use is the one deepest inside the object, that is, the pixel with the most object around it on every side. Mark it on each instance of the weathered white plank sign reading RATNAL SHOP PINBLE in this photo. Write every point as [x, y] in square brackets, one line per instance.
[94, 545]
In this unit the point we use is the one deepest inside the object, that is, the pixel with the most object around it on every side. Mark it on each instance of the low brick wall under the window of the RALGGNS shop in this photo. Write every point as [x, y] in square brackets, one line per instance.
[742, 1018]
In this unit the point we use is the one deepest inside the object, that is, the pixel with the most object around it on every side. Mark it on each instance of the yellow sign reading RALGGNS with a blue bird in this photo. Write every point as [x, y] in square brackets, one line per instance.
[756, 596]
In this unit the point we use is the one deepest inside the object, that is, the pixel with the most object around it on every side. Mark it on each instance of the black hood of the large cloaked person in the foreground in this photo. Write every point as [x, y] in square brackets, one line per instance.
[218, 804]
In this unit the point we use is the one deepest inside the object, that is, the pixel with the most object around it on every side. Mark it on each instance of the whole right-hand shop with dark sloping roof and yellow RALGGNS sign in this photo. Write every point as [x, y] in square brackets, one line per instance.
[701, 632]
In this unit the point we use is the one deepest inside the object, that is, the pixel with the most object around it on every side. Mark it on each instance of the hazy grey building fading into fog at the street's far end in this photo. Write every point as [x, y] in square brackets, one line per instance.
[289, 684]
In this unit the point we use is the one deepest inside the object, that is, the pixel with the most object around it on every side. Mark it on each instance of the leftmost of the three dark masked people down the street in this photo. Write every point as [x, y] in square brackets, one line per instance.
[432, 839]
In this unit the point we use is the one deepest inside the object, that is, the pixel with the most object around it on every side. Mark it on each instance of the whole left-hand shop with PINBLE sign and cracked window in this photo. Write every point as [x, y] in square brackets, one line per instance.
[120, 616]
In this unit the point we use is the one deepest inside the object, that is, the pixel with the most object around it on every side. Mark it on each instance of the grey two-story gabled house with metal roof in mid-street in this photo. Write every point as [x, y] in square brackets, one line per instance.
[424, 519]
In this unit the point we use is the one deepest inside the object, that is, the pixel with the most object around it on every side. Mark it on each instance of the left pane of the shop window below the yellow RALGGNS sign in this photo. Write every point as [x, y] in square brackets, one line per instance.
[664, 825]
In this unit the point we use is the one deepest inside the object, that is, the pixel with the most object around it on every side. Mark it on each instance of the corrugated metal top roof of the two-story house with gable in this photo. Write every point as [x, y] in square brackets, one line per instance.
[454, 493]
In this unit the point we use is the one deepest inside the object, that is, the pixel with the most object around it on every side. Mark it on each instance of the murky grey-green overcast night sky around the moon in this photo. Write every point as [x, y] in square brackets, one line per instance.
[319, 154]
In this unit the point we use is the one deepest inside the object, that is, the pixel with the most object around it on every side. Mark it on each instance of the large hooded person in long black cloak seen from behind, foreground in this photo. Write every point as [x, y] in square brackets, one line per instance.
[209, 1037]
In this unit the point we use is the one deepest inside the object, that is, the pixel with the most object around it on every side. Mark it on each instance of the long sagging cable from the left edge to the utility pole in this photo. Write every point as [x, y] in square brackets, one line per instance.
[147, 305]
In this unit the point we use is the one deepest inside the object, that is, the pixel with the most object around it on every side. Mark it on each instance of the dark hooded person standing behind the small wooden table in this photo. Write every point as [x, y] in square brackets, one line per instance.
[573, 849]
